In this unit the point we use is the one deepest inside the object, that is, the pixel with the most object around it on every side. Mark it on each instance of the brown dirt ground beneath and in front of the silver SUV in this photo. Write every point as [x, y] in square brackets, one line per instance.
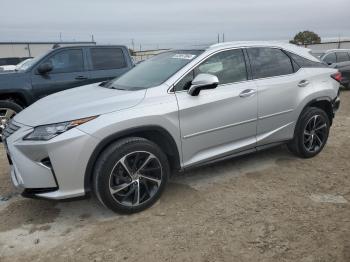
[269, 206]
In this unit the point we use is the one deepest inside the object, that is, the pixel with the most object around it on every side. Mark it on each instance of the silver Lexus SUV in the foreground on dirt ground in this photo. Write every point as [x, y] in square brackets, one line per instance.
[183, 108]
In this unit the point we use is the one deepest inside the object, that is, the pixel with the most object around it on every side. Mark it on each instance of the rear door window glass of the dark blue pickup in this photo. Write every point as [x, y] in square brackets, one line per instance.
[107, 58]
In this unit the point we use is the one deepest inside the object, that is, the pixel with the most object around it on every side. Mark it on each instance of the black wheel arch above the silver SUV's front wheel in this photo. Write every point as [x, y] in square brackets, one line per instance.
[156, 134]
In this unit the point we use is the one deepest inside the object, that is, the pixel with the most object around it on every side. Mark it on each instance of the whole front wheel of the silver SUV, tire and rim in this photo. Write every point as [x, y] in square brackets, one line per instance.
[130, 175]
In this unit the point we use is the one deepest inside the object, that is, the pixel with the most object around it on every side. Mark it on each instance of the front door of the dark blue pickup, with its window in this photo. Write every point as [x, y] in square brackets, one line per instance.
[68, 71]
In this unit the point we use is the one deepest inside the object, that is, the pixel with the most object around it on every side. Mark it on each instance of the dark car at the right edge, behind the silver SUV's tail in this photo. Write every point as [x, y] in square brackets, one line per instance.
[339, 59]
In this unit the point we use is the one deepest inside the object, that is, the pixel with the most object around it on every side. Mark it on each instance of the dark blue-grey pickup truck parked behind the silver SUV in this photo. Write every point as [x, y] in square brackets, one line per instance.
[59, 69]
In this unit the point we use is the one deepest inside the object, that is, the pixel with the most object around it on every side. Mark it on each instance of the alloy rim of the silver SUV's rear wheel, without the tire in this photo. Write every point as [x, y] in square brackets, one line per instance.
[315, 133]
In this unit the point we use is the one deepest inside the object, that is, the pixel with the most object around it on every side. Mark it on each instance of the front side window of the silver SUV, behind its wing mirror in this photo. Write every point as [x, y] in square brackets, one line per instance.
[229, 66]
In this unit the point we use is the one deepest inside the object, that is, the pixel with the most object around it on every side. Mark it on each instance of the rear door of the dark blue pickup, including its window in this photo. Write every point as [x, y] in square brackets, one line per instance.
[107, 62]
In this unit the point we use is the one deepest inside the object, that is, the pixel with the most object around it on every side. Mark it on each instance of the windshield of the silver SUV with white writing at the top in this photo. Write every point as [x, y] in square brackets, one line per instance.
[154, 71]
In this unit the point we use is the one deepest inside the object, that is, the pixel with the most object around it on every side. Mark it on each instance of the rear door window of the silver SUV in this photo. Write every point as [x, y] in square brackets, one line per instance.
[268, 62]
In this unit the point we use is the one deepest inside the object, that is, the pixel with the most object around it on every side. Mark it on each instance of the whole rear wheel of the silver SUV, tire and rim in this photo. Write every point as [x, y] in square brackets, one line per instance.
[311, 133]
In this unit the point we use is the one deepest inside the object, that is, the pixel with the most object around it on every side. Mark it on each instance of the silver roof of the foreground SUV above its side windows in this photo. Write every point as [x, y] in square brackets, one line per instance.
[305, 52]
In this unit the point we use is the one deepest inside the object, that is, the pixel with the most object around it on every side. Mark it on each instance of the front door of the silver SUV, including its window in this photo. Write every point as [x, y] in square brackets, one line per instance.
[220, 121]
